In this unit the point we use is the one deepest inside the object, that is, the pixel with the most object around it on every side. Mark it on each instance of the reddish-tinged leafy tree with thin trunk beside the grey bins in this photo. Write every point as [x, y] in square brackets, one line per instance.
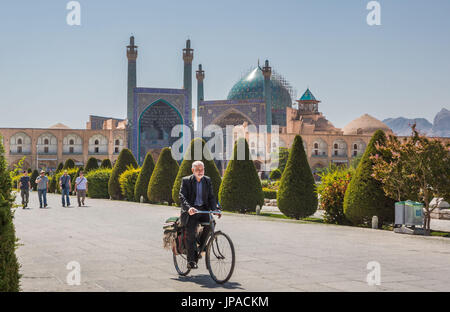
[417, 168]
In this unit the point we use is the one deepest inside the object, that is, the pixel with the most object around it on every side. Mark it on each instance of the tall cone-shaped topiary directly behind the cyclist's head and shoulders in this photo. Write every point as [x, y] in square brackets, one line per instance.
[186, 165]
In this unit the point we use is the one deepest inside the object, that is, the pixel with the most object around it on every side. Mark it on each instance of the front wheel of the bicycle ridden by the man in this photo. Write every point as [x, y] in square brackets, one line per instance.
[220, 257]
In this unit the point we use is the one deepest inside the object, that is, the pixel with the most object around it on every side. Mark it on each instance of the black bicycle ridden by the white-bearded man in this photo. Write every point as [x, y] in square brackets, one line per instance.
[220, 256]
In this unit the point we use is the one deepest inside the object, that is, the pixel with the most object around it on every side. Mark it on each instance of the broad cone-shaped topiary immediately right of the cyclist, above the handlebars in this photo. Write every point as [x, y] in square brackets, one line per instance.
[241, 188]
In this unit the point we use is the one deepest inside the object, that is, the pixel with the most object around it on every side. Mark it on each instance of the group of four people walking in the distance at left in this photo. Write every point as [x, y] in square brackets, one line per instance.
[65, 185]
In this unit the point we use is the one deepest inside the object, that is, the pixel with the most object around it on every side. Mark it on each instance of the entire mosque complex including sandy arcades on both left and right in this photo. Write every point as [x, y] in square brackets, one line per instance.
[260, 97]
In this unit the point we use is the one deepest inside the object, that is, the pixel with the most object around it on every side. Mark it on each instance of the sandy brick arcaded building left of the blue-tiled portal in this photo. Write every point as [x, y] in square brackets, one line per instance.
[46, 147]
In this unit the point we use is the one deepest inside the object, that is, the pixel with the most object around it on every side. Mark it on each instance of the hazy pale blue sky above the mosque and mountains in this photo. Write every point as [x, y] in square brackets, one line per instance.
[51, 72]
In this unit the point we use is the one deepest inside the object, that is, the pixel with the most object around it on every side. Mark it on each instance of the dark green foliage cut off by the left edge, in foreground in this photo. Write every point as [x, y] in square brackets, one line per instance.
[9, 266]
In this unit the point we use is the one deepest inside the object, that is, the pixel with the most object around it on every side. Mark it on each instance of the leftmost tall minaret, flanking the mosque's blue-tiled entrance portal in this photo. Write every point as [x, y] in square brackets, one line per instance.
[132, 56]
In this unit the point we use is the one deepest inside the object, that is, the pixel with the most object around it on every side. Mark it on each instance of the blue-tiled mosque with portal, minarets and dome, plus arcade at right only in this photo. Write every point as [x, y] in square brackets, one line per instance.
[260, 97]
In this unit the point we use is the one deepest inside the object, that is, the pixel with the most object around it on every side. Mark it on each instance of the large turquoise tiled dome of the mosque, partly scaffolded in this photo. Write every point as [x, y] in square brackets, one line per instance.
[251, 86]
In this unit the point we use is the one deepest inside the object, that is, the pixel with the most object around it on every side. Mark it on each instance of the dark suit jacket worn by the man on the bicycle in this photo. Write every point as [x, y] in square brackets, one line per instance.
[188, 192]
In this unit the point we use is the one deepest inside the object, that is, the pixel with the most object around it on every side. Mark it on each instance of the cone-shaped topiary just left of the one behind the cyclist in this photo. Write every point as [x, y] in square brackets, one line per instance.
[163, 176]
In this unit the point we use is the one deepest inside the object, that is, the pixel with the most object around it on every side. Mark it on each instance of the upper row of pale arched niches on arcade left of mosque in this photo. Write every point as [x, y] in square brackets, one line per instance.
[20, 143]
